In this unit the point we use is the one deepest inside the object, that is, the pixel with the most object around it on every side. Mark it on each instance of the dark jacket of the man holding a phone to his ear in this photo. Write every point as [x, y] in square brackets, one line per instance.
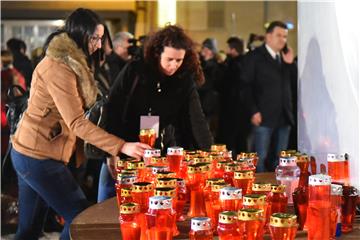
[268, 87]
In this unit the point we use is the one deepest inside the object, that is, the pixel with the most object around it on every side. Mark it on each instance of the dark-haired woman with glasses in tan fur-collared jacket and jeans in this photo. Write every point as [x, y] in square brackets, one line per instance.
[62, 87]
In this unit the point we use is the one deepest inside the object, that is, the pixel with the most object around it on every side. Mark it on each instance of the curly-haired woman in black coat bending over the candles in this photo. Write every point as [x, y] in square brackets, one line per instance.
[163, 84]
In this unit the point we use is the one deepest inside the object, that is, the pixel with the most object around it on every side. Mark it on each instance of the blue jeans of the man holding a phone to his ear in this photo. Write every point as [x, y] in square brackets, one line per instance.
[268, 143]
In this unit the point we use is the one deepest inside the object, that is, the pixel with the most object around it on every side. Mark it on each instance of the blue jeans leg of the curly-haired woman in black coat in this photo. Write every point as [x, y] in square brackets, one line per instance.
[106, 188]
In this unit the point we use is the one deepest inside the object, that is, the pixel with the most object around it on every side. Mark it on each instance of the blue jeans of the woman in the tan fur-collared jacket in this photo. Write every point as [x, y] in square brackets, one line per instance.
[44, 183]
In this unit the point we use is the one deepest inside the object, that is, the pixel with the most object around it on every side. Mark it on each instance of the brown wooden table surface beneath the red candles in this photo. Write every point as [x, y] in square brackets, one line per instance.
[100, 221]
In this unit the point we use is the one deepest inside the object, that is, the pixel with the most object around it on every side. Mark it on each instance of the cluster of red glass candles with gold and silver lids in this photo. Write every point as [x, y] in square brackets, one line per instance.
[225, 199]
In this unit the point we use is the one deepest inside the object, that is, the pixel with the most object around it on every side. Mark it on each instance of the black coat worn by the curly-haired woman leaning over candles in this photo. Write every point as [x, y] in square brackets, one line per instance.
[182, 121]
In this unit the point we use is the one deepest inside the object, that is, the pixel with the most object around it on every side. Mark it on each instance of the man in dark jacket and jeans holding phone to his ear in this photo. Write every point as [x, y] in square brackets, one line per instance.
[267, 73]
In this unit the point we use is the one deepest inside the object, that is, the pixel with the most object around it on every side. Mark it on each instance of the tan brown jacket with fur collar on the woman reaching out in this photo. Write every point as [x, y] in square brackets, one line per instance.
[62, 86]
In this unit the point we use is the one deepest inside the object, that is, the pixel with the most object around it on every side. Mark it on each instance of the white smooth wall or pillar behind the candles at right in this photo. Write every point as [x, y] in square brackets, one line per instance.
[329, 72]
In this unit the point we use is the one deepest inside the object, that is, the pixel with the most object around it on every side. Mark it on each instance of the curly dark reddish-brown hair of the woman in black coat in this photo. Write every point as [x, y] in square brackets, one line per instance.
[175, 37]
